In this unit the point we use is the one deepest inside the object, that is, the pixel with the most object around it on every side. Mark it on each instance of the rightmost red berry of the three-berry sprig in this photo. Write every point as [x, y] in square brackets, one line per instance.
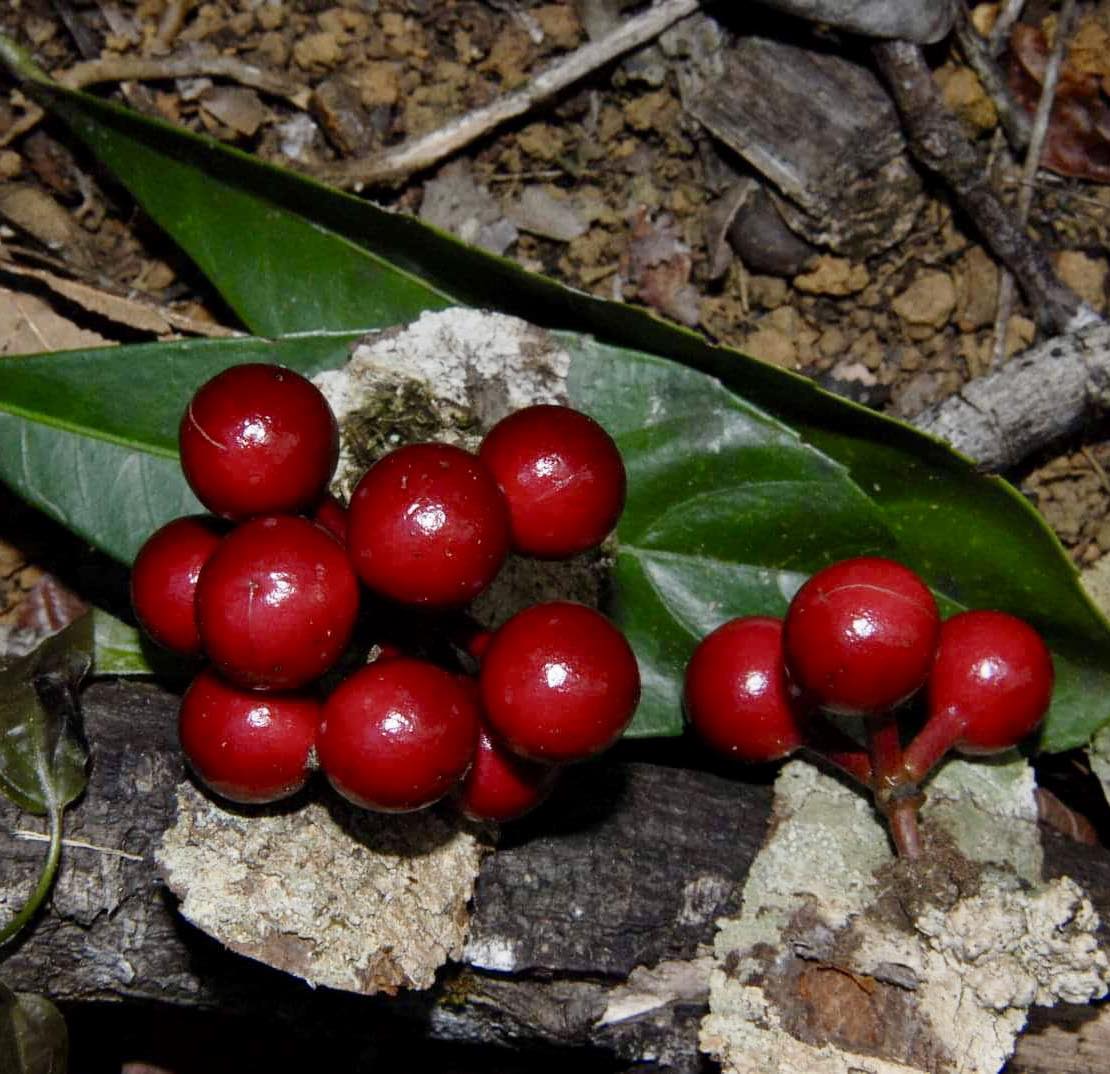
[993, 678]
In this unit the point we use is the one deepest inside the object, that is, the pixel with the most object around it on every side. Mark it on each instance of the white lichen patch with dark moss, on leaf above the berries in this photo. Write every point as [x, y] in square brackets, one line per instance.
[448, 377]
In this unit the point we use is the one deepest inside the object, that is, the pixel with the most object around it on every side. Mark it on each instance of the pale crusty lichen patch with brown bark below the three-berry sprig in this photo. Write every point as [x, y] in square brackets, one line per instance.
[833, 968]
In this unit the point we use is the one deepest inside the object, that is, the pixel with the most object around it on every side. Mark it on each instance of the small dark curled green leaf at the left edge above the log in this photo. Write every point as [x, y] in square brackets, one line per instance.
[43, 759]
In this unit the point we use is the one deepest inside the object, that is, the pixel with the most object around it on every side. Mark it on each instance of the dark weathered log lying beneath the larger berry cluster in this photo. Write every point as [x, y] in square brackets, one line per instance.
[589, 921]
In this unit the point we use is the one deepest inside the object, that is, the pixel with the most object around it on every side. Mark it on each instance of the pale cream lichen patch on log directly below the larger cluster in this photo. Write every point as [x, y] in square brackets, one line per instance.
[337, 896]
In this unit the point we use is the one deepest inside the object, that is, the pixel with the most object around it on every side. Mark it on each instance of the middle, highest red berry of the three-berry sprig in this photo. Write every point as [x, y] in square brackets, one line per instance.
[861, 636]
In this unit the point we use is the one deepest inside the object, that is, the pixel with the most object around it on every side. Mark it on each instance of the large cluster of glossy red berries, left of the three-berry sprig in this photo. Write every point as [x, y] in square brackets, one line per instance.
[270, 593]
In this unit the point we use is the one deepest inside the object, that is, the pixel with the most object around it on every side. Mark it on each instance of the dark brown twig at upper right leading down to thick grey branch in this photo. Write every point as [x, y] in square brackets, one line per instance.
[941, 146]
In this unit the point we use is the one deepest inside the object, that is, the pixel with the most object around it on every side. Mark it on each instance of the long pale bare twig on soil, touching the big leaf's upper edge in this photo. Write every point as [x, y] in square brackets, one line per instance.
[419, 154]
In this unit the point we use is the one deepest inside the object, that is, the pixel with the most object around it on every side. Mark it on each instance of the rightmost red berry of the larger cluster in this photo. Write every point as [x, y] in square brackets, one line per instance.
[559, 683]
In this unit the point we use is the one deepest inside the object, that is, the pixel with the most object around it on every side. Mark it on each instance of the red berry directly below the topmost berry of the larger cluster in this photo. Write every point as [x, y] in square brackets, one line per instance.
[277, 603]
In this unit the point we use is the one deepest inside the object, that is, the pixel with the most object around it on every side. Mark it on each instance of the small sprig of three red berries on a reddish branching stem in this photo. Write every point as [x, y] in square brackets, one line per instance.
[860, 640]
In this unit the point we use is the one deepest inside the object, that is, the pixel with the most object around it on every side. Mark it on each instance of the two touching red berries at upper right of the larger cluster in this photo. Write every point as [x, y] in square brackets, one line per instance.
[431, 525]
